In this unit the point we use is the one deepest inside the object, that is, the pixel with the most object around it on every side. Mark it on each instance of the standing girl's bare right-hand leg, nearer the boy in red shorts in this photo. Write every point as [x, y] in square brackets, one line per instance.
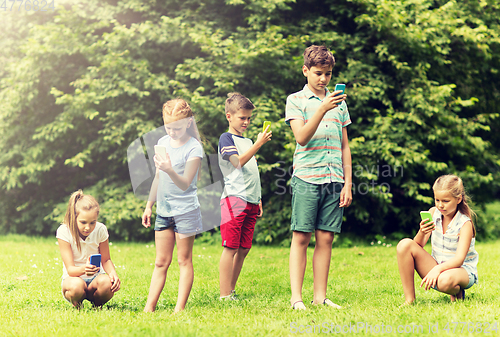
[186, 272]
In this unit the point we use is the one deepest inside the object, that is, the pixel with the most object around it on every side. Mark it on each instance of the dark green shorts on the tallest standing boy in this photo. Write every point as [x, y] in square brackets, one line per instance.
[316, 206]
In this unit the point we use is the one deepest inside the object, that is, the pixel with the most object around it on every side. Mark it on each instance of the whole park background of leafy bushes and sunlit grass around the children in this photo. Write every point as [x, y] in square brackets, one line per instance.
[80, 83]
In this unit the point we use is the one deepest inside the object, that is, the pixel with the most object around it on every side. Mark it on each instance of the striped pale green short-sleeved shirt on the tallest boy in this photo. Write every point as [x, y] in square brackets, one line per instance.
[320, 160]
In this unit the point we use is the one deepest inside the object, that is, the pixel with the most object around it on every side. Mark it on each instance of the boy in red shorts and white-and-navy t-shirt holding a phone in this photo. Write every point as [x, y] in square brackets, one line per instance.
[241, 199]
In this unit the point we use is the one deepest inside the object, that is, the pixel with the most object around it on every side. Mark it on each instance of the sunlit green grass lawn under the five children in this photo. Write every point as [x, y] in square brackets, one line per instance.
[364, 280]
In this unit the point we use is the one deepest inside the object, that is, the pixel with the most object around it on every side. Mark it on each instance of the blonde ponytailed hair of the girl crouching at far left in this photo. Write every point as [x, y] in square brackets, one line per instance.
[78, 202]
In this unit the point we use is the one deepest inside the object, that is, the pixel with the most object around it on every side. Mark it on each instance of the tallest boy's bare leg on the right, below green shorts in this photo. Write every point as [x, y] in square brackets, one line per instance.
[321, 263]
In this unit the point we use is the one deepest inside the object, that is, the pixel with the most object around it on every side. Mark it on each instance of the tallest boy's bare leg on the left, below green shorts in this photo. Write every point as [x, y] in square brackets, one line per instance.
[298, 262]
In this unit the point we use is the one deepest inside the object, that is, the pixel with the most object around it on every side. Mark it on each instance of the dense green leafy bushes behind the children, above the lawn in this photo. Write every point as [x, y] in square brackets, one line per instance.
[80, 84]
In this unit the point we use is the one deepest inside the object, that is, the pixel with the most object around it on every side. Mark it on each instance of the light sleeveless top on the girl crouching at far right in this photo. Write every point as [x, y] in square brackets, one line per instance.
[444, 246]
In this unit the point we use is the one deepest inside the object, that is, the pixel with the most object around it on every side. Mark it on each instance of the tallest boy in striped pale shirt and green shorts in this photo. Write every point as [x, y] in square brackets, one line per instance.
[322, 175]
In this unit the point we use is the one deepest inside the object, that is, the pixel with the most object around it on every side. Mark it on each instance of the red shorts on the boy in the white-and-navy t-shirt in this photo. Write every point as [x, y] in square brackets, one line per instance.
[238, 219]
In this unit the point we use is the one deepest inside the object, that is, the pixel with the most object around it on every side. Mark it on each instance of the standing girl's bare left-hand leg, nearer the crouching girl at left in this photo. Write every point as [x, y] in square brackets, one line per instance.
[164, 242]
